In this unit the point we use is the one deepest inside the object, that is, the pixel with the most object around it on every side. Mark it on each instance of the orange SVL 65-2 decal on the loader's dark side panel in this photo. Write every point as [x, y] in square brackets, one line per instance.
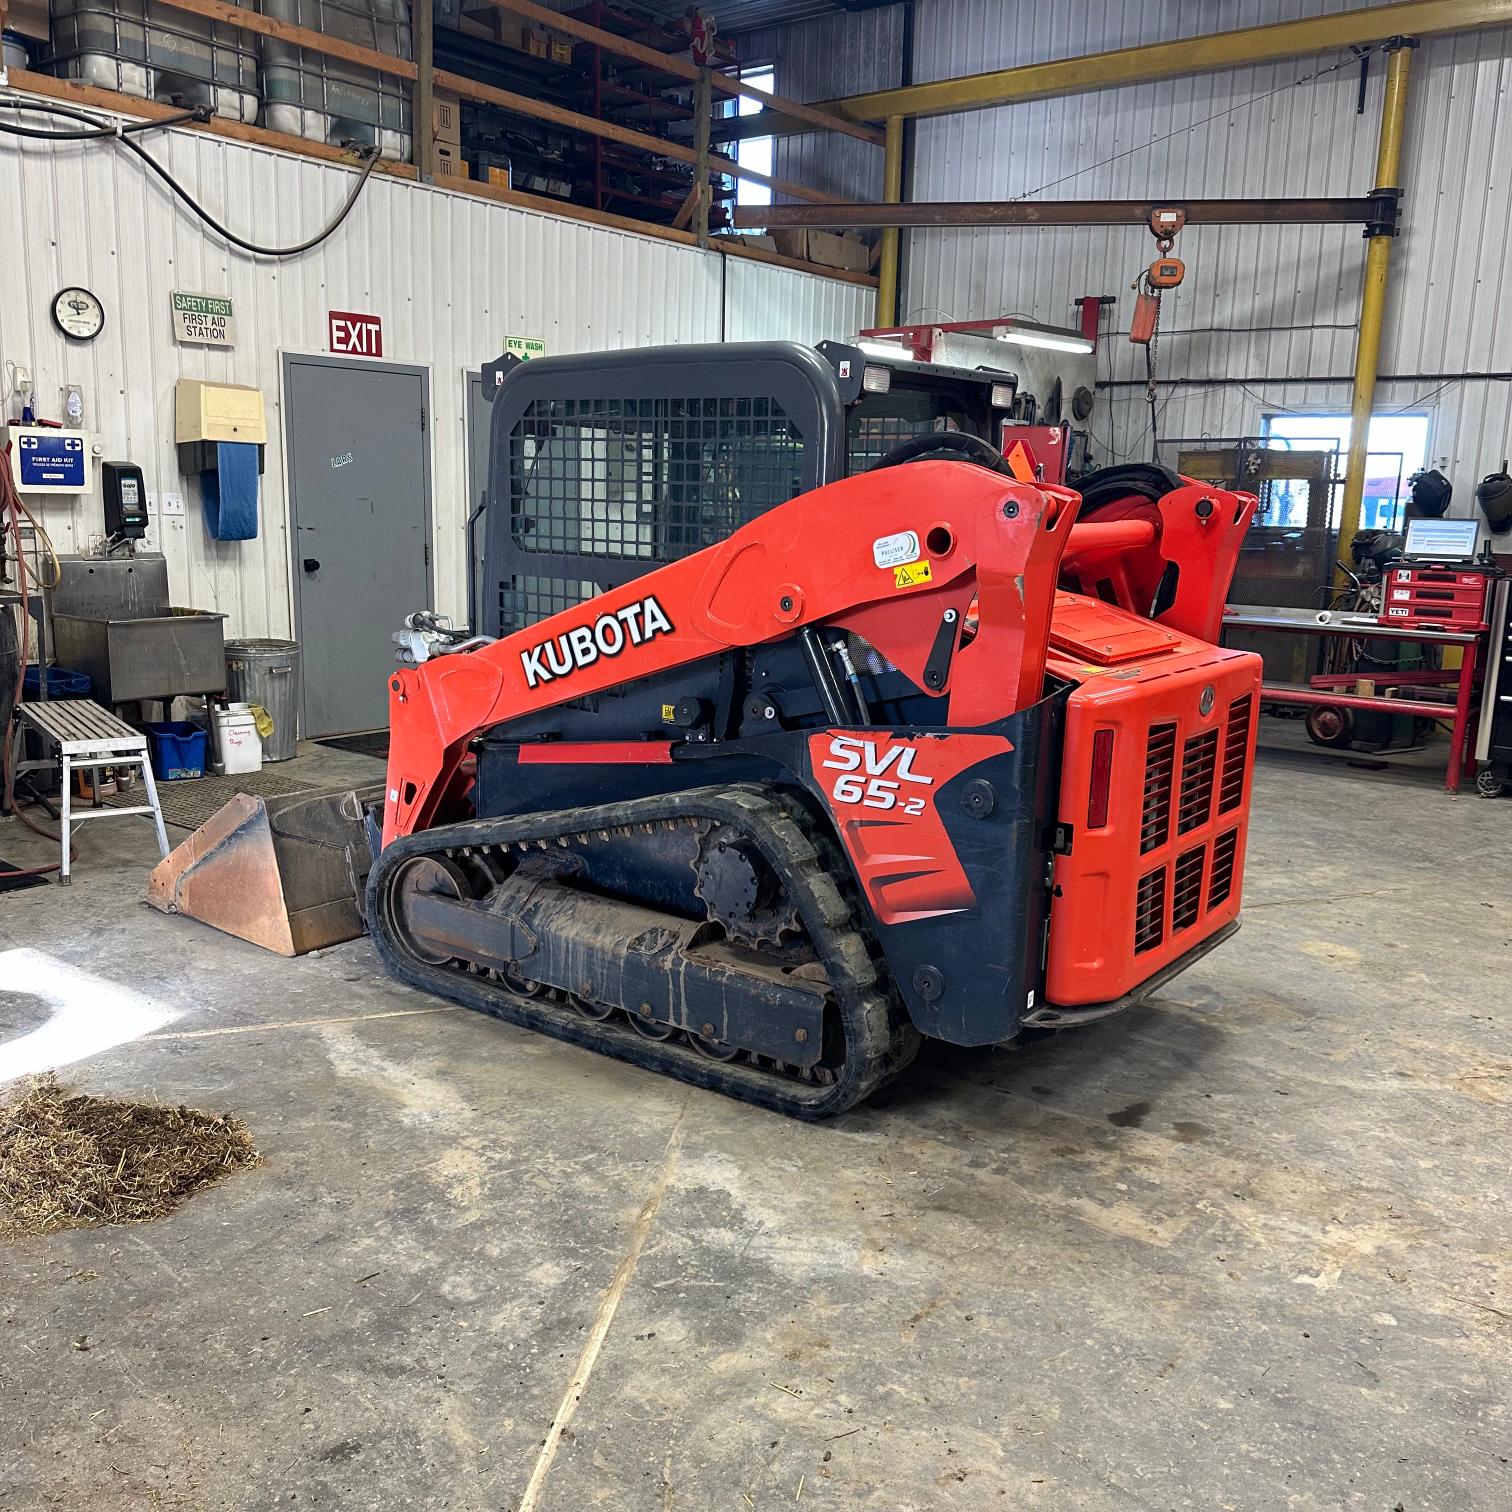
[882, 793]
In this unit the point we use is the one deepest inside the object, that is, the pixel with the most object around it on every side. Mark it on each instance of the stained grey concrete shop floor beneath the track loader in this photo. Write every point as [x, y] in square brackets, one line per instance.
[1244, 1250]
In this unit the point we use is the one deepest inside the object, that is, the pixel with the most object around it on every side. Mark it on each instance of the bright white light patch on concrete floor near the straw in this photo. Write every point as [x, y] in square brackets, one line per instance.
[88, 1014]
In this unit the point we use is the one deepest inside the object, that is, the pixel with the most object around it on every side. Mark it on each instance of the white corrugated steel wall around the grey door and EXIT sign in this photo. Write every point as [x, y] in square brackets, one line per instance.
[450, 276]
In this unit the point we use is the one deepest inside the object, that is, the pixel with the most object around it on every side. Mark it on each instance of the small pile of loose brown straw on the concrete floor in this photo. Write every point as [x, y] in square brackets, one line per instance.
[69, 1159]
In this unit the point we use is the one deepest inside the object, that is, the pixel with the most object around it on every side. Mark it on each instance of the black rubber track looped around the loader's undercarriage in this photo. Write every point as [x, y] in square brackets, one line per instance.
[879, 1038]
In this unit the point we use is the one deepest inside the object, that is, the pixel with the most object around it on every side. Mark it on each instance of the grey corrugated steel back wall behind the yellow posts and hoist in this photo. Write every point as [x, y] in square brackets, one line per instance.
[1275, 308]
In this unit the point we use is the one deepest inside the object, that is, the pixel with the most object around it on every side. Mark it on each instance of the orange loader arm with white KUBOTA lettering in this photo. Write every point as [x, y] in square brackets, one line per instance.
[896, 557]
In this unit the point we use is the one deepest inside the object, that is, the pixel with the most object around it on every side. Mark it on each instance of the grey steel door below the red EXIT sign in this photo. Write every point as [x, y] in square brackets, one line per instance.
[361, 504]
